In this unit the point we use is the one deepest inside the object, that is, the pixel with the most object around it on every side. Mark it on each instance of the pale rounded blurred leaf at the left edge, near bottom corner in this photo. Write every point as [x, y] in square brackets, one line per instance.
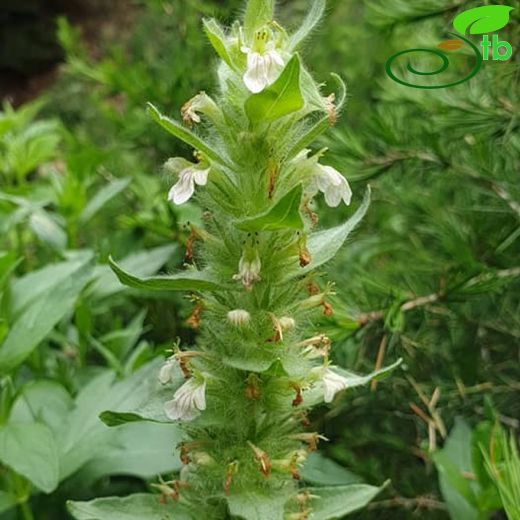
[30, 450]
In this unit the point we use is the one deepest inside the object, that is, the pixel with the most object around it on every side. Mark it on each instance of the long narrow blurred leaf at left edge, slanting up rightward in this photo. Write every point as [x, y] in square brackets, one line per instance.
[40, 316]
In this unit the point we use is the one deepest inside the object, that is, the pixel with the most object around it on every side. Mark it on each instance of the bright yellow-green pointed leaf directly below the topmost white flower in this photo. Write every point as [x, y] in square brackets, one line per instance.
[283, 97]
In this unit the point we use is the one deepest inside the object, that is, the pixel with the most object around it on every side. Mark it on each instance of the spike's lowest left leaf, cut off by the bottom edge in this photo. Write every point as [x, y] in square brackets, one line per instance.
[134, 507]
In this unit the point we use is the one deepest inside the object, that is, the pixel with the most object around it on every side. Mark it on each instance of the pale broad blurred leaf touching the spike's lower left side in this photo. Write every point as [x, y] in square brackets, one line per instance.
[142, 450]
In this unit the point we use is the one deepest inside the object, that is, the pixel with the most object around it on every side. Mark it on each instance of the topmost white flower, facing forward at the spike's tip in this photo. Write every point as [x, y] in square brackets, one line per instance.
[264, 63]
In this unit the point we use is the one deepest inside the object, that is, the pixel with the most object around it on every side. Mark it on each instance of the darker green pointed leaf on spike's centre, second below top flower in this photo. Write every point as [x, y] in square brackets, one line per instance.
[285, 214]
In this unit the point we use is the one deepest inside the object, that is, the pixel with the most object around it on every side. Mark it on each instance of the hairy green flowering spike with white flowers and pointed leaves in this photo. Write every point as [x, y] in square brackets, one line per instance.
[243, 393]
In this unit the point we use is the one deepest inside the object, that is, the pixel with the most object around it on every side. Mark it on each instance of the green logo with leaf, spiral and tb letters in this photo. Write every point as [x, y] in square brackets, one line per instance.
[480, 20]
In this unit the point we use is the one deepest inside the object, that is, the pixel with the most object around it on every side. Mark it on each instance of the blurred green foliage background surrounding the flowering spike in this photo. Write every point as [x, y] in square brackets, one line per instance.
[431, 275]
